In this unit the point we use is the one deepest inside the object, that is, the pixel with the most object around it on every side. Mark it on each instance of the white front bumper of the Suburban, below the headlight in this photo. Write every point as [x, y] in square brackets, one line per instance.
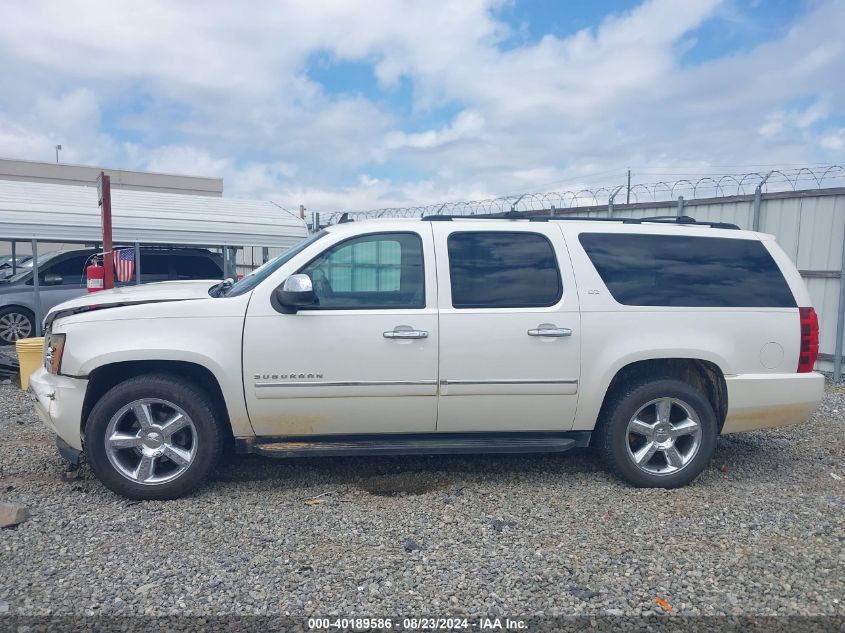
[58, 401]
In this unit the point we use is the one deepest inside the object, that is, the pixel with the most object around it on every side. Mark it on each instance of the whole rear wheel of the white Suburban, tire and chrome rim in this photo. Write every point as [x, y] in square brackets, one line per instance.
[659, 434]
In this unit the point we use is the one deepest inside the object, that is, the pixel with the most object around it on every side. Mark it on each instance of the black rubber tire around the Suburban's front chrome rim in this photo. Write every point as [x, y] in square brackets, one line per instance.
[207, 433]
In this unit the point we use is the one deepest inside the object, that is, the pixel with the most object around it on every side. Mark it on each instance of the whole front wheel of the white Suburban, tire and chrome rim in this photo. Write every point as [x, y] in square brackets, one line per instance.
[153, 437]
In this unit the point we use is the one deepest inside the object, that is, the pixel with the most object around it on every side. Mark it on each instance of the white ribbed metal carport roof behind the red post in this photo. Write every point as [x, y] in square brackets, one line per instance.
[68, 213]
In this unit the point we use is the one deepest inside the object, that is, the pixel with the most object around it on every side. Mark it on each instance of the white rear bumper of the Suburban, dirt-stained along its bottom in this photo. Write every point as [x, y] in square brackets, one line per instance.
[762, 401]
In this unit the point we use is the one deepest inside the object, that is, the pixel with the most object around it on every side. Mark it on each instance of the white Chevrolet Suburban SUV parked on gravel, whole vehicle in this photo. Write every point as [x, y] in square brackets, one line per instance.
[644, 339]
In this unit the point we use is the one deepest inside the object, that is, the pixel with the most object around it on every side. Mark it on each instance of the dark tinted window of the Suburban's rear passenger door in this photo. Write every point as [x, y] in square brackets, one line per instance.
[502, 270]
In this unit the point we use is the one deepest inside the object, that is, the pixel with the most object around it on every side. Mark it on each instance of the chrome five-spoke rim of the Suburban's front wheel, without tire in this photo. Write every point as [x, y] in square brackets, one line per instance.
[151, 441]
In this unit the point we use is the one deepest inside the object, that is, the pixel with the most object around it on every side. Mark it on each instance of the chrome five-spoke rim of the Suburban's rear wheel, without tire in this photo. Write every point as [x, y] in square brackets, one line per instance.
[663, 436]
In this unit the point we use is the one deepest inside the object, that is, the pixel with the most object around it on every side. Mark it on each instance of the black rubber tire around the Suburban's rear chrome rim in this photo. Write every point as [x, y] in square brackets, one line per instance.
[613, 438]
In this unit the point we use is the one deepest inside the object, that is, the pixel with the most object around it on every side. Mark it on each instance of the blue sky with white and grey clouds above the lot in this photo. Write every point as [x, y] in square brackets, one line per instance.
[355, 105]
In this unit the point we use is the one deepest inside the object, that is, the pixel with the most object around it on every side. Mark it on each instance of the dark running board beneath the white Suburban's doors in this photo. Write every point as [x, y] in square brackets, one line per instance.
[423, 444]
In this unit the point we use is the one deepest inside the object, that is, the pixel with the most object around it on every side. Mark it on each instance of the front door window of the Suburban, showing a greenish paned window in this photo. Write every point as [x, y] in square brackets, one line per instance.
[371, 271]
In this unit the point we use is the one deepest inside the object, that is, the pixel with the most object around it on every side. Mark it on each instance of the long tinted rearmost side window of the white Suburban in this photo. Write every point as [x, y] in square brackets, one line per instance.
[679, 270]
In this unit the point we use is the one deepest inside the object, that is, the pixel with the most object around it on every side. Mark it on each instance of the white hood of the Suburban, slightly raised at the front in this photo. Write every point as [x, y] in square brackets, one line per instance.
[133, 295]
